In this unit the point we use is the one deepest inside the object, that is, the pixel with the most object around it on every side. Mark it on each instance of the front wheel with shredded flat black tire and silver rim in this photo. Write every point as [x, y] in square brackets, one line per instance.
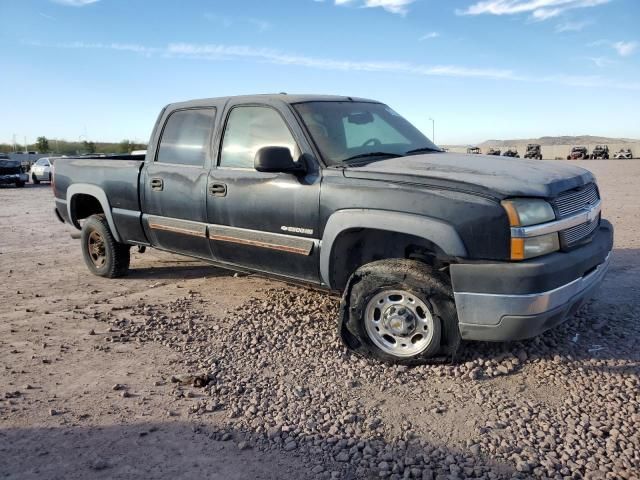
[401, 311]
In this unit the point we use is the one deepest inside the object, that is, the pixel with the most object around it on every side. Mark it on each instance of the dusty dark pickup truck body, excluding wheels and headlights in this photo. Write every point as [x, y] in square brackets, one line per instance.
[197, 193]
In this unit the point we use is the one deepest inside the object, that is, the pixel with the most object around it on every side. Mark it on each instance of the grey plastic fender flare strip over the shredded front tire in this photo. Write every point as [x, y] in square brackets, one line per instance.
[436, 231]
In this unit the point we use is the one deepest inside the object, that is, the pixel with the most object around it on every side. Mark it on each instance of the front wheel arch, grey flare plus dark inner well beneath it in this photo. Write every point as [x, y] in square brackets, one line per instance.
[348, 228]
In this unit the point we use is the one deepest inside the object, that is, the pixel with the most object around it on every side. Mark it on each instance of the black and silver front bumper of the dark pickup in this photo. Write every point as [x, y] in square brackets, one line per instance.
[508, 303]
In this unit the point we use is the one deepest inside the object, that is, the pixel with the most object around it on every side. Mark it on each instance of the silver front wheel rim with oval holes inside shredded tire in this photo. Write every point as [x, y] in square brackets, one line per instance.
[399, 323]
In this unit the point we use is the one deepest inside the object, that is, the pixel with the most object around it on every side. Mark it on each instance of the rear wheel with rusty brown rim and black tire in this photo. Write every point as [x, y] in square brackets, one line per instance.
[103, 255]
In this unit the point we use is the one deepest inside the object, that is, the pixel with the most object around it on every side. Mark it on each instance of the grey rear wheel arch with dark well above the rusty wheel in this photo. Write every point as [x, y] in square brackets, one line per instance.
[84, 200]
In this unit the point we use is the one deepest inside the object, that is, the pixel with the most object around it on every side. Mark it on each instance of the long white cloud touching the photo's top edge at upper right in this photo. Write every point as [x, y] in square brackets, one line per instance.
[538, 9]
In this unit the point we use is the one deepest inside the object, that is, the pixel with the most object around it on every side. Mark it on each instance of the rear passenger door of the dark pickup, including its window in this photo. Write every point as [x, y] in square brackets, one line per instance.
[175, 183]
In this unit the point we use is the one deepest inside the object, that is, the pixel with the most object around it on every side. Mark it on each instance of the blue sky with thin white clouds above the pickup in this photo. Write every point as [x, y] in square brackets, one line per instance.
[481, 69]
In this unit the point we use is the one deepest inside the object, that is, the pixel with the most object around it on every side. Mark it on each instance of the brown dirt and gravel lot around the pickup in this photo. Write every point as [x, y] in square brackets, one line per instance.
[98, 375]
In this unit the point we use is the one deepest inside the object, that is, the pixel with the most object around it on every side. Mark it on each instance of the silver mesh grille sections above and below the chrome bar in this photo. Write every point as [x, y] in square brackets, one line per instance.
[572, 202]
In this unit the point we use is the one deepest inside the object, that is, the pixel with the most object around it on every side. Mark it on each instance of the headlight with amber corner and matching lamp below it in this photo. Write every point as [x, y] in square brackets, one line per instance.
[524, 212]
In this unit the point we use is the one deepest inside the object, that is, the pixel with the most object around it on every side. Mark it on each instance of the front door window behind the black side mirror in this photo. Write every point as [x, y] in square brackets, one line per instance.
[248, 130]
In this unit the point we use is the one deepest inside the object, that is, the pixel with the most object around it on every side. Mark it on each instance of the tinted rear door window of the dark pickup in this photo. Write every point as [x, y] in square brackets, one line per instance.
[185, 138]
